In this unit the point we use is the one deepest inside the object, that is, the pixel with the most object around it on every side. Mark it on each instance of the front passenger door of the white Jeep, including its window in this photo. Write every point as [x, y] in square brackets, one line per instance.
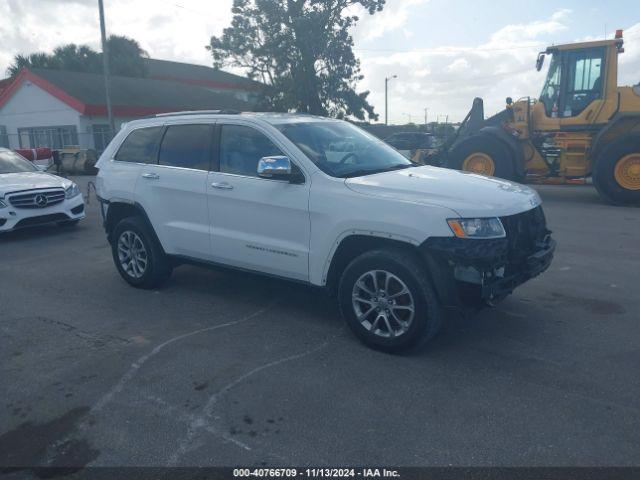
[256, 223]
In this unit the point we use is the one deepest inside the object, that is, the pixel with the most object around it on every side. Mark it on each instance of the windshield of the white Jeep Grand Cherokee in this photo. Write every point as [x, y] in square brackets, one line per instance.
[343, 150]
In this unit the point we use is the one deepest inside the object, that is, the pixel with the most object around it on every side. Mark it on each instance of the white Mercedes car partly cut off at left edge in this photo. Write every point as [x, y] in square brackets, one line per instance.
[29, 197]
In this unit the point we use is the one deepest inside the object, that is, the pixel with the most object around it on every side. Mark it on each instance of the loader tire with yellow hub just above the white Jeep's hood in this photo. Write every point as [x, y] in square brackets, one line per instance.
[484, 155]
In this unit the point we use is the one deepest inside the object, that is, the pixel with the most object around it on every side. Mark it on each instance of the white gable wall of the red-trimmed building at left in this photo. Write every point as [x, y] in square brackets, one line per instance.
[31, 106]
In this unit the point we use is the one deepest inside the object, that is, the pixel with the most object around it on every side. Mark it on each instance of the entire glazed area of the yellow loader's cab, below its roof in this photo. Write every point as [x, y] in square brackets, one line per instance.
[575, 79]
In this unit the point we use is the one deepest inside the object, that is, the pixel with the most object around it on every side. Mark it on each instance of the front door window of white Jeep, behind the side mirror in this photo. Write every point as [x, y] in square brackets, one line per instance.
[240, 149]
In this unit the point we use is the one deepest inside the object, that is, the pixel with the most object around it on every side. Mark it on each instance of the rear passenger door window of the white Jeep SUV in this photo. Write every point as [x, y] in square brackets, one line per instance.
[187, 146]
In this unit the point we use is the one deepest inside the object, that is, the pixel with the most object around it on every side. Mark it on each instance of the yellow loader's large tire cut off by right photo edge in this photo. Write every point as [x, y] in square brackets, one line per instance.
[616, 174]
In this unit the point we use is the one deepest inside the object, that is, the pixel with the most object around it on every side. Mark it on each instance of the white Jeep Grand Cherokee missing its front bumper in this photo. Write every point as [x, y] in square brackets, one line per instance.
[322, 202]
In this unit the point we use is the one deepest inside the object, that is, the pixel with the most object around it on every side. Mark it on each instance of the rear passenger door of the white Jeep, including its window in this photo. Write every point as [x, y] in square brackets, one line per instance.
[173, 190]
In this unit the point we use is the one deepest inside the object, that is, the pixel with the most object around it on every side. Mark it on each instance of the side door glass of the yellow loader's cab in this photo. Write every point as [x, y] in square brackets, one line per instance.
[584, 82]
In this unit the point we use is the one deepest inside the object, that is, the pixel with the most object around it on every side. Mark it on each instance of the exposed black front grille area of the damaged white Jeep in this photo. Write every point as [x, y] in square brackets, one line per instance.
[524, 231]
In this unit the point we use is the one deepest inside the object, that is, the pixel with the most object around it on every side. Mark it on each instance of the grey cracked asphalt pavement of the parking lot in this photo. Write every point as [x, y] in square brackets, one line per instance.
[220, 368]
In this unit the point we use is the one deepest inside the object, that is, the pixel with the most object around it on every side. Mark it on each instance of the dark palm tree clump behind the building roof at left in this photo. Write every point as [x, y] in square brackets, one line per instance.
[126, 58]
